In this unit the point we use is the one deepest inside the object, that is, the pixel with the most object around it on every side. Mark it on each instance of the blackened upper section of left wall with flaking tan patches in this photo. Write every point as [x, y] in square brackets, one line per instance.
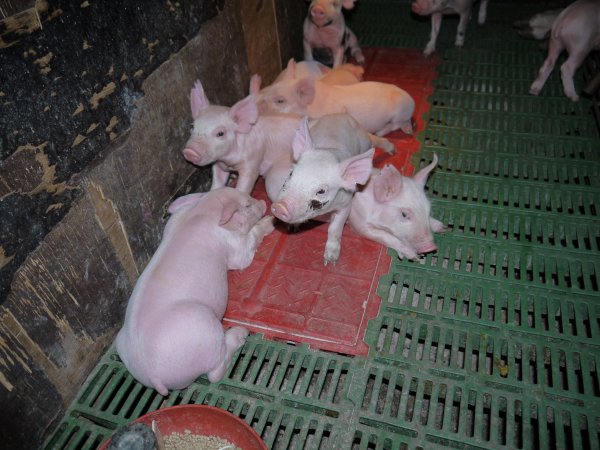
[66, 92]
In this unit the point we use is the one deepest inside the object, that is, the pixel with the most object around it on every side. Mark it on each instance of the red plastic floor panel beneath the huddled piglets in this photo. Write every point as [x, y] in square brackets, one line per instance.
[287, 293]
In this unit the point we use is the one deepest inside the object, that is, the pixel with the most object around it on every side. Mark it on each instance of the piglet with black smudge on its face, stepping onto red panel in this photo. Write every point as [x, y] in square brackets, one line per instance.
[325, 176]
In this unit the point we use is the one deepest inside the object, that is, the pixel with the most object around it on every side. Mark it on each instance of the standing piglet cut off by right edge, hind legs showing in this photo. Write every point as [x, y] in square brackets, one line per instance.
[577, 30]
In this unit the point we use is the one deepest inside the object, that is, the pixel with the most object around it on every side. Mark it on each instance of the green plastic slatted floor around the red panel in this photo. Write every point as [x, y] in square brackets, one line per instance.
[492, 341]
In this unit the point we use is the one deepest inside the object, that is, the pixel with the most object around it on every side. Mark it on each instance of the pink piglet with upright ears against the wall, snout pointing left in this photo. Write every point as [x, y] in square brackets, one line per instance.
[236, 139]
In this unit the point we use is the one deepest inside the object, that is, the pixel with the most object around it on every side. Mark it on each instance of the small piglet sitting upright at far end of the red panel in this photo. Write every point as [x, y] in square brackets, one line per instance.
[326, 36]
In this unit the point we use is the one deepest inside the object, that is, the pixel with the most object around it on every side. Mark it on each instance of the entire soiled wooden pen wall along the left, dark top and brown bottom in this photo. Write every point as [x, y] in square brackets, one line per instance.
[96, 108]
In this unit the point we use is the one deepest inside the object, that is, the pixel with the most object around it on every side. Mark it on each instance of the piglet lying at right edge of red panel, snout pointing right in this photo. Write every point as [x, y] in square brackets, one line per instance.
[394, 211]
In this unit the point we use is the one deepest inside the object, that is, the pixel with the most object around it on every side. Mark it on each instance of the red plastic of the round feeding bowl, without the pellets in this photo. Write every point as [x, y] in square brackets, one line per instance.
[202, 420]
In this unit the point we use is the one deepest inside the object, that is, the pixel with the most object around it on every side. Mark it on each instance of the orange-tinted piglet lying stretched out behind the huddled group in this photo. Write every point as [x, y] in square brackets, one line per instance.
[380, 108]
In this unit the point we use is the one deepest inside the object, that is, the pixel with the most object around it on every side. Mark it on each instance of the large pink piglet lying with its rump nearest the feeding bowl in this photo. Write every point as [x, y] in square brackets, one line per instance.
[172, 332]
